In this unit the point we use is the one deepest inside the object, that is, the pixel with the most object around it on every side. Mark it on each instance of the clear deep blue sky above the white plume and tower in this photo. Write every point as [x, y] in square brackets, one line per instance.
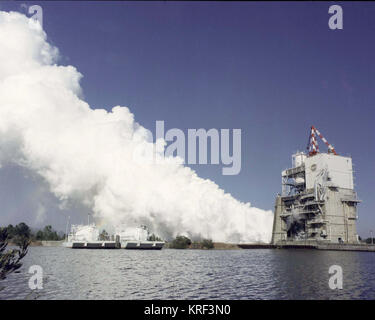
[270, 69]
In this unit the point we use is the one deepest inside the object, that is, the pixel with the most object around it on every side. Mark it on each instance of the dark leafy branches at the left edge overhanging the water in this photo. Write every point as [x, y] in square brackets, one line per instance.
[10, 260]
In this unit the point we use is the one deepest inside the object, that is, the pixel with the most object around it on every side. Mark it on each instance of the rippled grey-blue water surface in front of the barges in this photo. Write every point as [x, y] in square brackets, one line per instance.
[193, 274]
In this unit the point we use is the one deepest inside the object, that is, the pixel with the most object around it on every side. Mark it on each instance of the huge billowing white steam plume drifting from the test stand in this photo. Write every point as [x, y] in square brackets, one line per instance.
[87, 155]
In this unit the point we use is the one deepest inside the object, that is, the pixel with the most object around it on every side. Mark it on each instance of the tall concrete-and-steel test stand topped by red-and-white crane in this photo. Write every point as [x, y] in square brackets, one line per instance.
[318, 201]
